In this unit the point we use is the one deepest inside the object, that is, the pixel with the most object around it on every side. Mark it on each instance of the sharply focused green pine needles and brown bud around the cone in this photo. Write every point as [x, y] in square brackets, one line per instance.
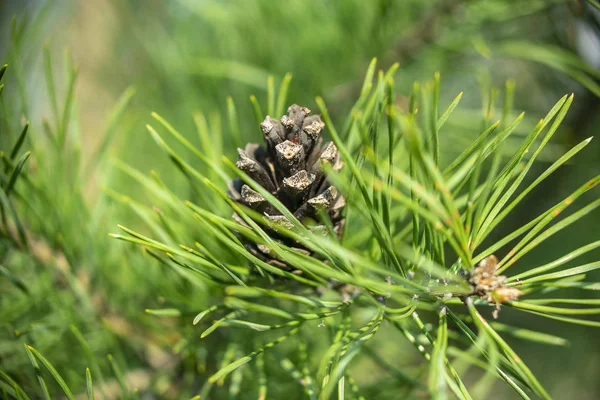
[415, 251]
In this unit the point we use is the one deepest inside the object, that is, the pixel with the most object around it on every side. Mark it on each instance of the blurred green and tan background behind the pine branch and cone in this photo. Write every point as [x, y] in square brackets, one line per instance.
[185, 57]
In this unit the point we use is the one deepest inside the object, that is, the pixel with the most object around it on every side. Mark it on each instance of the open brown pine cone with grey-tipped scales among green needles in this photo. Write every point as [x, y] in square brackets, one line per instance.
[290, 167]
